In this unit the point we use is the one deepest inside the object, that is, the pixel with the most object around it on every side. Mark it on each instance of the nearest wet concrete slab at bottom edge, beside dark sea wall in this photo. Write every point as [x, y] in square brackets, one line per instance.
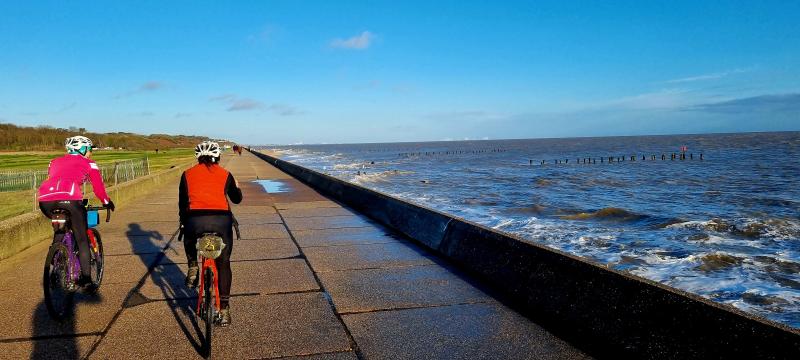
[449, 332]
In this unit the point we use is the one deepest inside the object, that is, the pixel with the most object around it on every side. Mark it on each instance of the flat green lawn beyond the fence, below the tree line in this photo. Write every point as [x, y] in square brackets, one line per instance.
[21, 161]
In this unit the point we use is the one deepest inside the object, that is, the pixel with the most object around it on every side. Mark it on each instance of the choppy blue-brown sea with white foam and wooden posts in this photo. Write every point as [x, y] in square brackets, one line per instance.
[725, 227]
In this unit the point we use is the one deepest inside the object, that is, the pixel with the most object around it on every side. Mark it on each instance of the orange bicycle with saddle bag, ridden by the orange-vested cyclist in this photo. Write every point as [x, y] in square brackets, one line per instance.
[209, 247]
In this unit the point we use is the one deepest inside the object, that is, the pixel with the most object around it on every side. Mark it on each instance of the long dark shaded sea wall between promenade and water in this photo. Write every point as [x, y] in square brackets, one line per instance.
[605, 312]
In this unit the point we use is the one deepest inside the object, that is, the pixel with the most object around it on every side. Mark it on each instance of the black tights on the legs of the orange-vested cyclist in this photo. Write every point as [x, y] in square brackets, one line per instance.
[222, 224]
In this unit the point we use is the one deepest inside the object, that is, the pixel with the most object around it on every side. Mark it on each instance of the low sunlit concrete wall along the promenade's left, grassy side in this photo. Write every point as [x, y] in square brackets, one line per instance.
[26, 230]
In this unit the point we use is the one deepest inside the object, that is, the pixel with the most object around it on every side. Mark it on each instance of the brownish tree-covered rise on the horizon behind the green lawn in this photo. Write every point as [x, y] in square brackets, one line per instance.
[46, 138]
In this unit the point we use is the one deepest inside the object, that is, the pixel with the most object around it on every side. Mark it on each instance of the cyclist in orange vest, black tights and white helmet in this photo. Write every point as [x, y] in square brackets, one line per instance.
[203, 207]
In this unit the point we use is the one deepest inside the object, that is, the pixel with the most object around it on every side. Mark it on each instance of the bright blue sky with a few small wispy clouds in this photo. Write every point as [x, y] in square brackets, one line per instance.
[288, 72]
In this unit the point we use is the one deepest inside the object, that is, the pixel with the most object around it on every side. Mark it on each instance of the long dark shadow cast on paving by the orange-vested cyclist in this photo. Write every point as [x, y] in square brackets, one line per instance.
[168, 277]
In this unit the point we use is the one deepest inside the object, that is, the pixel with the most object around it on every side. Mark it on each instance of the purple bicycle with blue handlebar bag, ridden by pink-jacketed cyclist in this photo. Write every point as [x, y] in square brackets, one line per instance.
[62, 266]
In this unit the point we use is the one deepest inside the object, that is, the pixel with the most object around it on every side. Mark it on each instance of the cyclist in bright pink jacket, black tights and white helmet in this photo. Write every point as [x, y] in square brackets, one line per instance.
[62, 190]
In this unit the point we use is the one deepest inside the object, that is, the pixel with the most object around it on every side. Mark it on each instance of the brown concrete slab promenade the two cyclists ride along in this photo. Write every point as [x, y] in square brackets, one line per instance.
[311, 280]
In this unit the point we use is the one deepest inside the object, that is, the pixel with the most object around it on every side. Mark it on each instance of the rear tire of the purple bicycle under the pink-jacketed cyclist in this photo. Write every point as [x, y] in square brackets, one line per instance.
[57, 296]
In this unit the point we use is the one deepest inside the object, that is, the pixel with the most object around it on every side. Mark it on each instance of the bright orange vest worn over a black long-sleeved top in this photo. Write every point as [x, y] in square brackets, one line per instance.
[206, 187]
